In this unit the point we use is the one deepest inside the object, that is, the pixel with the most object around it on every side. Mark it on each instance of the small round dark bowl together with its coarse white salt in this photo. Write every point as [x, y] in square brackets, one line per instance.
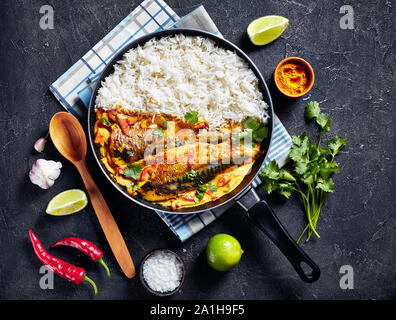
[162, 272]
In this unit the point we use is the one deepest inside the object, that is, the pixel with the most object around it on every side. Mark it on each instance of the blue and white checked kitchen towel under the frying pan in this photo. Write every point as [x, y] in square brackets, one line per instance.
[74, 88]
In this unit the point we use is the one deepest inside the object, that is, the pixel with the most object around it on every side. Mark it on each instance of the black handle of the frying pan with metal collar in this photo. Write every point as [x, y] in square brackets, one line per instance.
[266, 220]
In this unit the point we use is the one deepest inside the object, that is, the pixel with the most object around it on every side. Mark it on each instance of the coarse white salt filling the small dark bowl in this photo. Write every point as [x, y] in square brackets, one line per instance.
[162, 272]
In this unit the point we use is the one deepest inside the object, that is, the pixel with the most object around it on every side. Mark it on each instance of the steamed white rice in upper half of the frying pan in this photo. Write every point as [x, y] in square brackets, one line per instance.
[177, 74]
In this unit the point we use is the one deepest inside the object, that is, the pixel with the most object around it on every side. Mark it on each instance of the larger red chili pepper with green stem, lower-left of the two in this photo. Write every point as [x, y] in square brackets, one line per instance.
[58, 266]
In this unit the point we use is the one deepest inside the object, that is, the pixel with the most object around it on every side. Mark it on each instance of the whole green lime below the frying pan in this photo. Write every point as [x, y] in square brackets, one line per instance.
[223, 252]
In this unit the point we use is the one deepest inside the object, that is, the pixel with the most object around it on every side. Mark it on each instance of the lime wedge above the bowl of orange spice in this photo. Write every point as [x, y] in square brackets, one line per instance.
[266, 29]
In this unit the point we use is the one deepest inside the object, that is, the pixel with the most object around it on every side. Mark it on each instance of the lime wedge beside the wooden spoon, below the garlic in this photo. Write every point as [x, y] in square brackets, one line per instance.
[67, 202]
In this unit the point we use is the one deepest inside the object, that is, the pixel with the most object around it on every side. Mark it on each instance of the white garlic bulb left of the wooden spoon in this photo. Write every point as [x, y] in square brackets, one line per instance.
[44, 173]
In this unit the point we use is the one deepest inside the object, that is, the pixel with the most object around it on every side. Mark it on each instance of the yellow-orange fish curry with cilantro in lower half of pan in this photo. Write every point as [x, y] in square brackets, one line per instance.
[172, 161]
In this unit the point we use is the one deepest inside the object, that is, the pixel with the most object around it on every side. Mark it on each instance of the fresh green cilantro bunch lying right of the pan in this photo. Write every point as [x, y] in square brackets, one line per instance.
[309, 171]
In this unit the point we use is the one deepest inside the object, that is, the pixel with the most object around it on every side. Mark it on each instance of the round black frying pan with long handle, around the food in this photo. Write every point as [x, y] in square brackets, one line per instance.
[257, 209]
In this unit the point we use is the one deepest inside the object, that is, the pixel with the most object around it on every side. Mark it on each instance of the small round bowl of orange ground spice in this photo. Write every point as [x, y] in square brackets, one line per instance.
[294, 77]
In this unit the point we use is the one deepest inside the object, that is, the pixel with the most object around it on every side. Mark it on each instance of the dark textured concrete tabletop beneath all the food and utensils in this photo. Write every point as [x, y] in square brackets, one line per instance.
[355, 84]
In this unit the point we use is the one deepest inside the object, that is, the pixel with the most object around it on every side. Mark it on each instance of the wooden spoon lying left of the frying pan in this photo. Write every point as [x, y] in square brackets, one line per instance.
[69, 138]
